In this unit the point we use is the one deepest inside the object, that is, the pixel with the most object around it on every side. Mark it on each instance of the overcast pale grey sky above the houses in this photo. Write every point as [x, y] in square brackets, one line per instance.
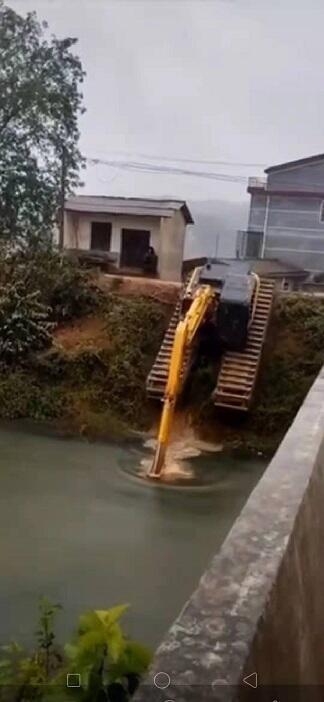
[223, 80]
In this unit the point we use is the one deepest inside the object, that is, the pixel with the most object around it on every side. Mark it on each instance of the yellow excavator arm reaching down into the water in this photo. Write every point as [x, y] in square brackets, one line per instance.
[184, 336]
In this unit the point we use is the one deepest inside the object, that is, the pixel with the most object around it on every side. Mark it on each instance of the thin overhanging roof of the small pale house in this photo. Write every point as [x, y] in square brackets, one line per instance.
[128, 205]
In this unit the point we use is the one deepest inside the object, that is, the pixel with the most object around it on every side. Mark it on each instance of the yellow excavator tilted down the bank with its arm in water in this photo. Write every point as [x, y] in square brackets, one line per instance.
[238, 306]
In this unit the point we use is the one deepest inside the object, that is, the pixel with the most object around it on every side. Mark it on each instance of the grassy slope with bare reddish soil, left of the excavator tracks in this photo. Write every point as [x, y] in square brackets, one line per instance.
[92, 380]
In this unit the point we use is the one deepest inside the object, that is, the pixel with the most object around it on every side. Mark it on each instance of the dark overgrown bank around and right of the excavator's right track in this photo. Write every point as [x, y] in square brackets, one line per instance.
[292, 358]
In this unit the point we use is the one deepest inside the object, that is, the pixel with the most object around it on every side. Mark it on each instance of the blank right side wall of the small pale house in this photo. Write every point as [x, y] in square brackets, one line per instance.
[173, 231]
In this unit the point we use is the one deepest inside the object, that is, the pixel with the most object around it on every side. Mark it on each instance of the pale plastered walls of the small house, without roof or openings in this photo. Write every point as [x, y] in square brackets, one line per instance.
[167, 236]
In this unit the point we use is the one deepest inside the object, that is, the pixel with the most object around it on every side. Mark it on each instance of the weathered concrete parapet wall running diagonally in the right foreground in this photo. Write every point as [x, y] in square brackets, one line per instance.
[260, 604]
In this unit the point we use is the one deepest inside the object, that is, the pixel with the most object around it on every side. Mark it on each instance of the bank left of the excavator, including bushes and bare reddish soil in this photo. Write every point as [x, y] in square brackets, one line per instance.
[70, 354]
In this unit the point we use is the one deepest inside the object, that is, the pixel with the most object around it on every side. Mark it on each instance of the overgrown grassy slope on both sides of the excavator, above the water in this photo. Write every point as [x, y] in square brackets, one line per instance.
[93, 379]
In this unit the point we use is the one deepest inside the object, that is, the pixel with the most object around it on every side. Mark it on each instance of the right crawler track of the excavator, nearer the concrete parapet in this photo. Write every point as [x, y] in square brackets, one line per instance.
[238, 372]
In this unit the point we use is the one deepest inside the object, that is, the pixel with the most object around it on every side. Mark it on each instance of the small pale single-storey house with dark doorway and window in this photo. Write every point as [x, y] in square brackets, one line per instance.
[122, 229]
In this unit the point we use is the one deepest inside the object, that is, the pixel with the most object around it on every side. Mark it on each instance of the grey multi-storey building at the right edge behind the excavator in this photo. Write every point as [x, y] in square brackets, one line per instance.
[286, 219]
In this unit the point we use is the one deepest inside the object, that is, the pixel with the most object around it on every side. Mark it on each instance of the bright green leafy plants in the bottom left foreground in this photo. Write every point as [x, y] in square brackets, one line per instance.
[107, 664]
